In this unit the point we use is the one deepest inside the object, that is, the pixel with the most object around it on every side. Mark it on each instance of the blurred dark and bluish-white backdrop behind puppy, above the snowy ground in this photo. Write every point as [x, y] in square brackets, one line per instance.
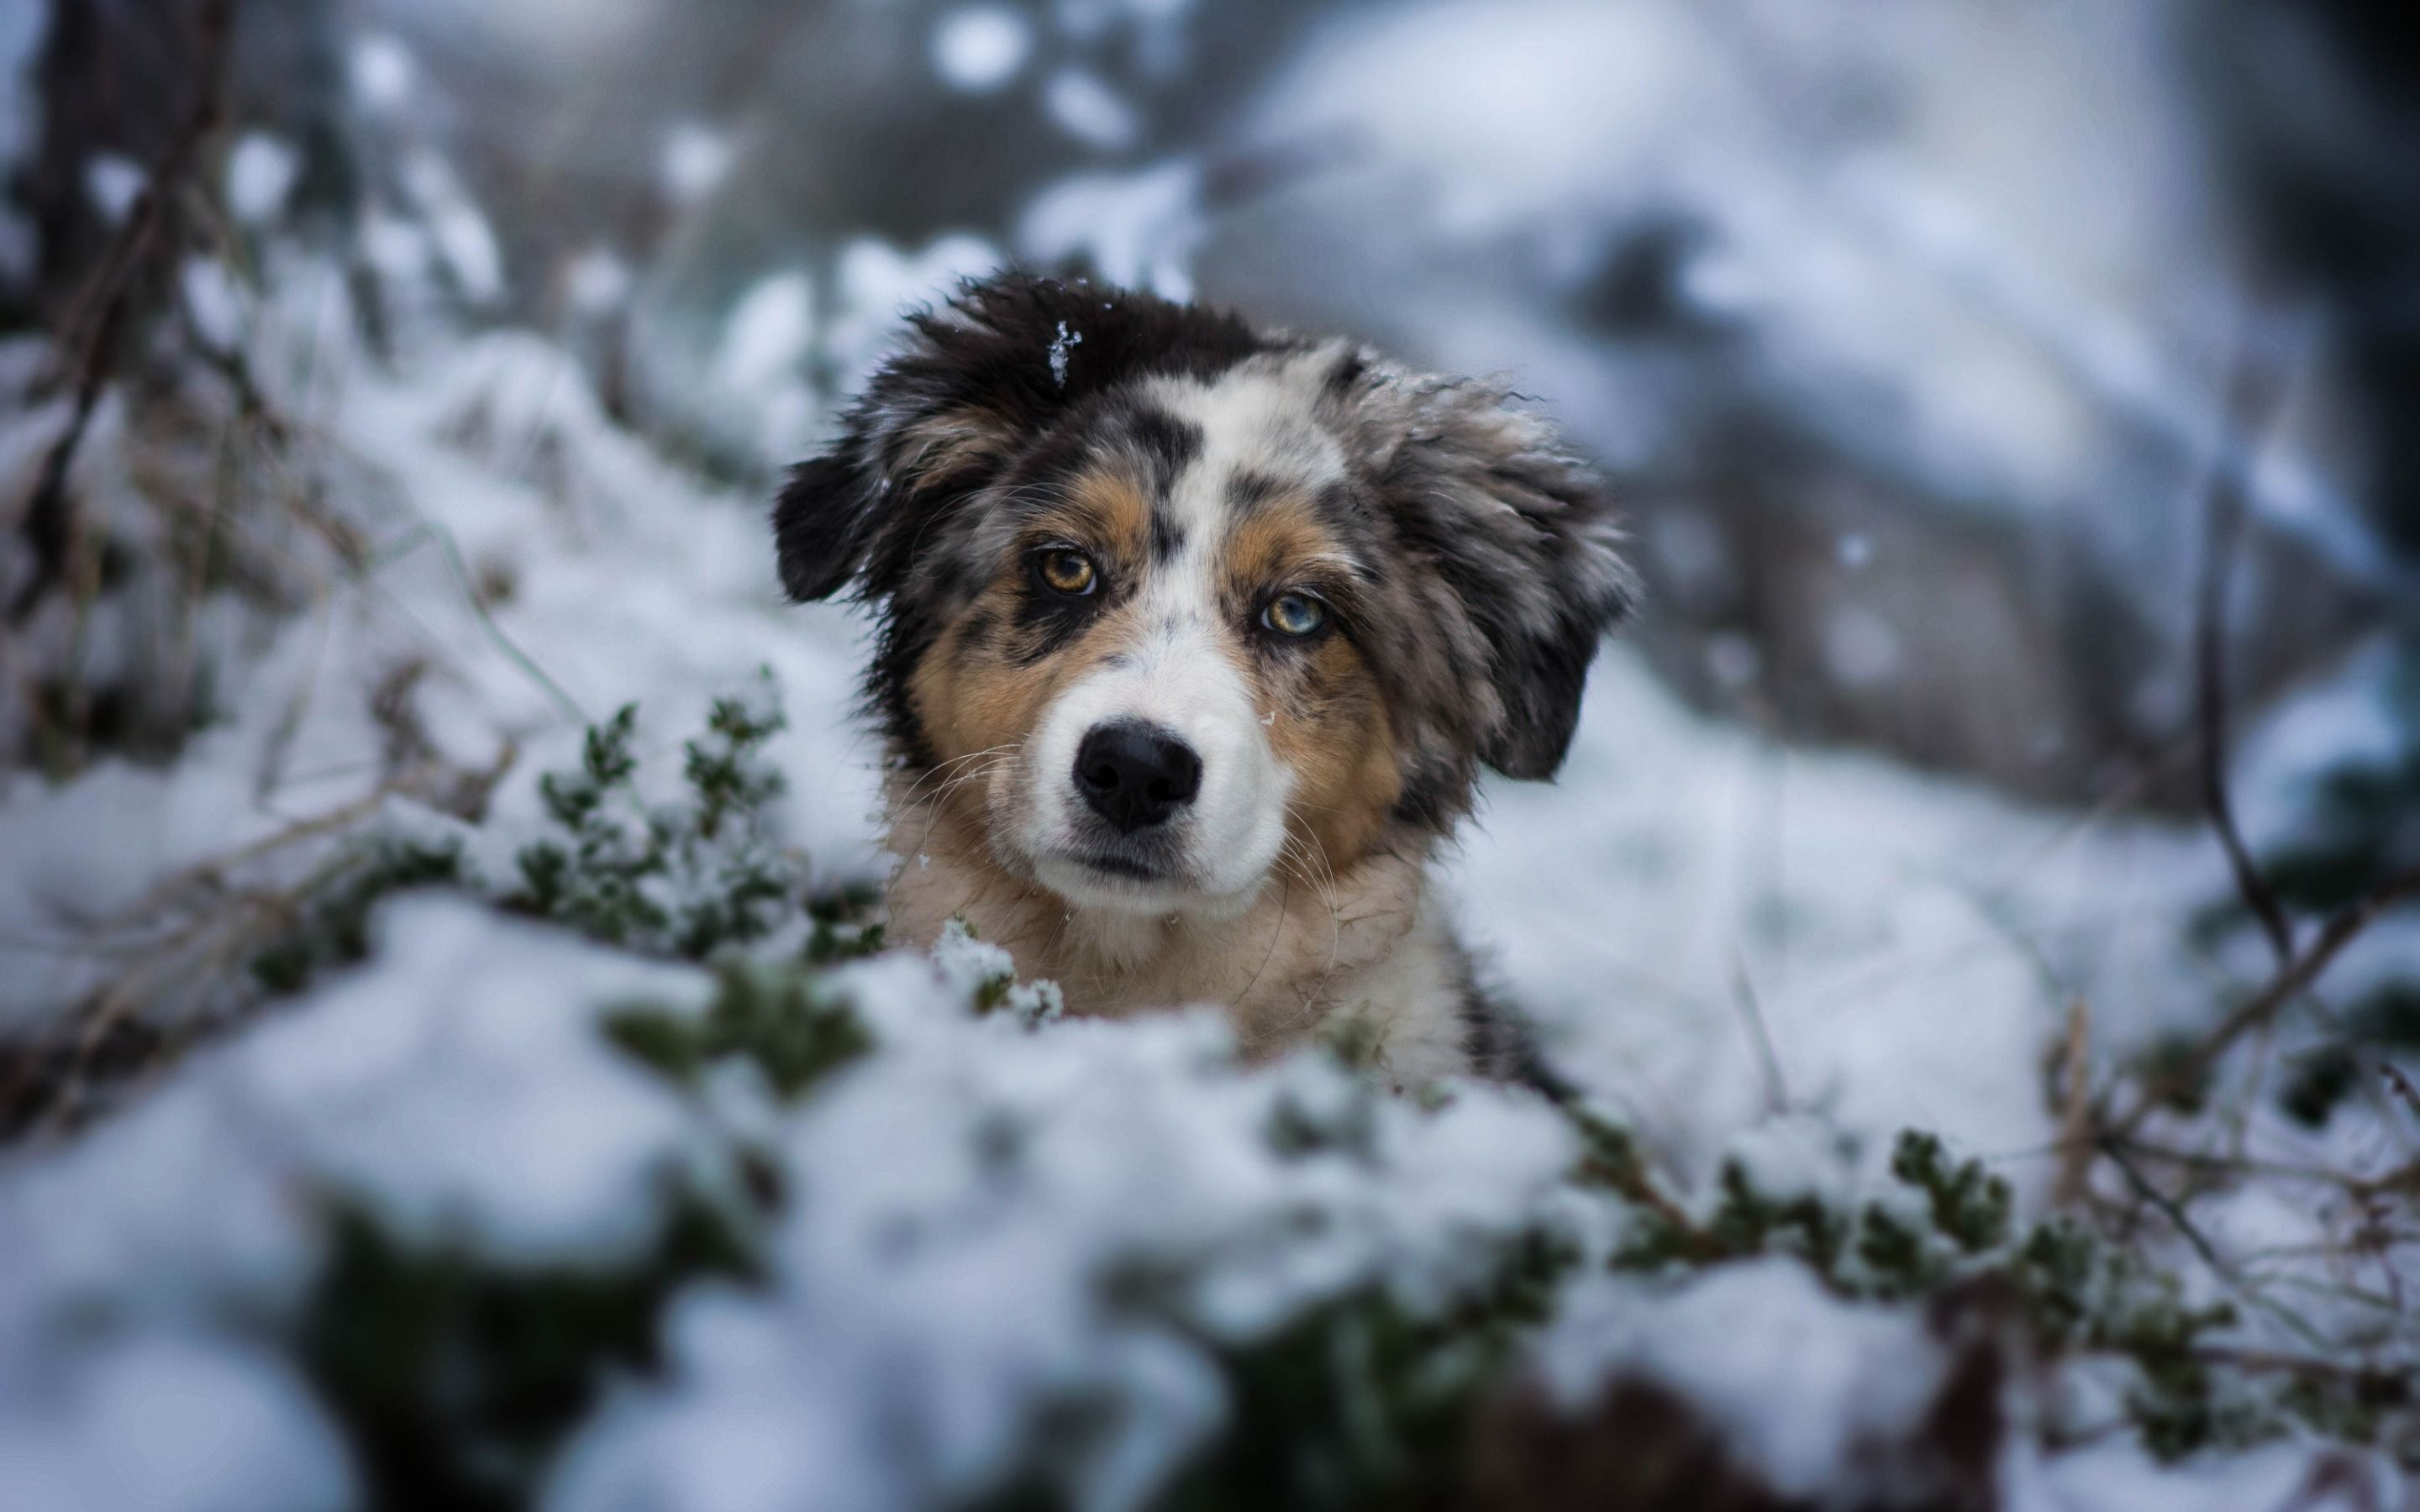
[1908, 330]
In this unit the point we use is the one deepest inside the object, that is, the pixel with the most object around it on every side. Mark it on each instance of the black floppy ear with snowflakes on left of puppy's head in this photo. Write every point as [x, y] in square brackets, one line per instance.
[974, 386]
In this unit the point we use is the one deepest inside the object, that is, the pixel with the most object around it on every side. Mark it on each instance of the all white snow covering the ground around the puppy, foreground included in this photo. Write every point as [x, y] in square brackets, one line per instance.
[1739, 947]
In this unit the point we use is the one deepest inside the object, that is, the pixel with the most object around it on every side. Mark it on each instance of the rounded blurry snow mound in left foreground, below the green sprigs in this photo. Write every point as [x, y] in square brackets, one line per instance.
[463, 1087]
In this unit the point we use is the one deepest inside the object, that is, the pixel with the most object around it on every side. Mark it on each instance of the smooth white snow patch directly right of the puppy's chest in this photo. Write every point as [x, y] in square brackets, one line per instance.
[1903, 942]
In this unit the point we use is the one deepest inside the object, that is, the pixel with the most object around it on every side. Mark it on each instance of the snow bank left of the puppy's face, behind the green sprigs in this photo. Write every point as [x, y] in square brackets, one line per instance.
[497, 454]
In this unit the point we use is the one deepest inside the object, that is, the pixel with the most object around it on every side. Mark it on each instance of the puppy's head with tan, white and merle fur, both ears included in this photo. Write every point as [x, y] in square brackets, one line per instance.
[1165, 599]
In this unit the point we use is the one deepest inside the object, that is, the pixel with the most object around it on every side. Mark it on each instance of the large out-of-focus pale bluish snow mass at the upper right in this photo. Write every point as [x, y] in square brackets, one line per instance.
[2012, 289]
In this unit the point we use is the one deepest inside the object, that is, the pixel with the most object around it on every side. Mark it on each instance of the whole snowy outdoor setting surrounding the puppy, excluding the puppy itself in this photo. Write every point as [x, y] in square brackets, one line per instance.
[1976, 913]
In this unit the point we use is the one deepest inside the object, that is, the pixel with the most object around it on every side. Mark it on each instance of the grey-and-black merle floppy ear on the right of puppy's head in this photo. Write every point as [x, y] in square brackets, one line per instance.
[1523, 538]
